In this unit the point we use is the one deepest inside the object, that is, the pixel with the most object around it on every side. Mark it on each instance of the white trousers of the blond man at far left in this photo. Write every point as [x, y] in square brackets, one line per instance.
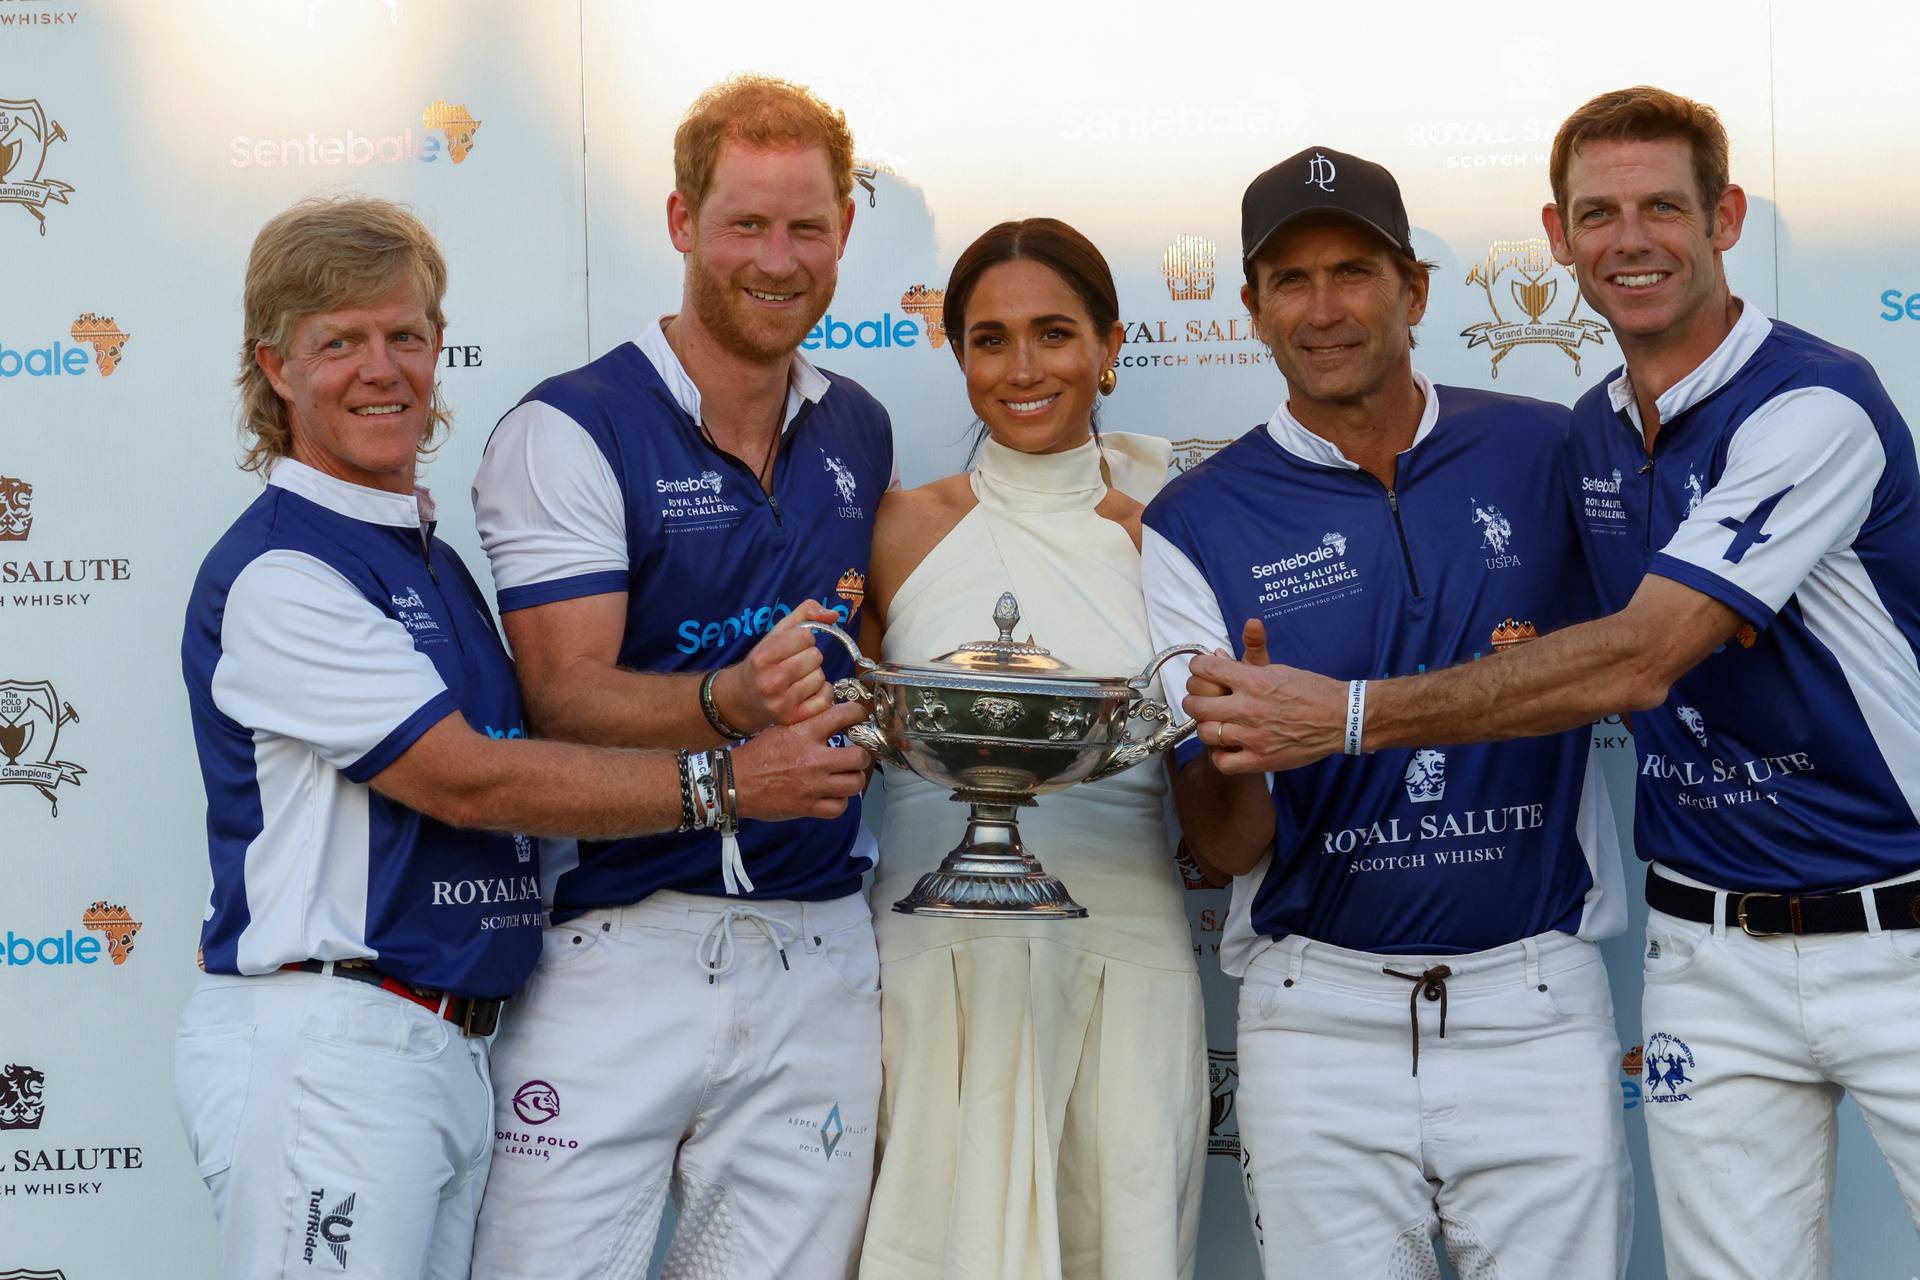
[339, 1127]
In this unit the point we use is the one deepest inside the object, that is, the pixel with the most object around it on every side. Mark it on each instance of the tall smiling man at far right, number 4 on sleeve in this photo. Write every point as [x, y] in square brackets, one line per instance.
[1752, 511]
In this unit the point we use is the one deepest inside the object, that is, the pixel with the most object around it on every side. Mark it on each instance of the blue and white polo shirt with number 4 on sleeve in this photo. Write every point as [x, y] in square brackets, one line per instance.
[1783, 485]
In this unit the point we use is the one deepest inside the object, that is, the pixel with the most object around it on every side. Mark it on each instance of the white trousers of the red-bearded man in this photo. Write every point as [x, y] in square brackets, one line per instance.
[627, 1076]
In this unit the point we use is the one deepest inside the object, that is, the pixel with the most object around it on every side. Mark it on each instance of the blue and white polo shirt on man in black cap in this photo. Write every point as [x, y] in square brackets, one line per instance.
[1435, 851]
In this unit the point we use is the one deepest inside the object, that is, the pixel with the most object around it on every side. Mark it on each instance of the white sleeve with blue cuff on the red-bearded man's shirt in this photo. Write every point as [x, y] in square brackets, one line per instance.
[550, 511]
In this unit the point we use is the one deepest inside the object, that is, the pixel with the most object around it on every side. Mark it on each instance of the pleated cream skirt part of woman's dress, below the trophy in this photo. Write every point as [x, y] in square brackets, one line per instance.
[1044, 1116]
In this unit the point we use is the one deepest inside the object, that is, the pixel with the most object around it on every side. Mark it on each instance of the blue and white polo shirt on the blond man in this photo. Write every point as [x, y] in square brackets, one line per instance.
[325, 634]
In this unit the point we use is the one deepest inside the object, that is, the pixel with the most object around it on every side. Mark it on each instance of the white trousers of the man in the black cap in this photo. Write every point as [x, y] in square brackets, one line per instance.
[1508, 1145]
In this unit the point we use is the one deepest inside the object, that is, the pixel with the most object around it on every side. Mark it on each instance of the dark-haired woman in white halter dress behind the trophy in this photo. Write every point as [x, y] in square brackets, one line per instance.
[1044, 1112]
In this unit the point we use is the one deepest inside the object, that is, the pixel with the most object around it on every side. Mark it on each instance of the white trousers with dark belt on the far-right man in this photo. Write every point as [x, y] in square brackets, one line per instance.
[1750, 1045]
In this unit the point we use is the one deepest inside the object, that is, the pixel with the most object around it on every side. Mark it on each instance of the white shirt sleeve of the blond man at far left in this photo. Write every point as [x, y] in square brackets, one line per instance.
[306, 657]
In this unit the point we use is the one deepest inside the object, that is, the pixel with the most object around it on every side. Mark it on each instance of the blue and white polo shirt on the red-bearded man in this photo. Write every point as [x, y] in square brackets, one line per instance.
[600, 483]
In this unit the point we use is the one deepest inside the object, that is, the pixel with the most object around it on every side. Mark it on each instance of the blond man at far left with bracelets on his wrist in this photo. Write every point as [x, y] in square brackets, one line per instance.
[366, 761]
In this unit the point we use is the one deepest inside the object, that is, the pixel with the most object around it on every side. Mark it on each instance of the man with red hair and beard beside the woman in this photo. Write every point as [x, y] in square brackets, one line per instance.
[706, 1014]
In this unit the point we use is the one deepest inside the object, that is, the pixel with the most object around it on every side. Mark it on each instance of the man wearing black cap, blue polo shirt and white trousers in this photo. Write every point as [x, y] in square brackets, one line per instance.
[1426, 1031]
